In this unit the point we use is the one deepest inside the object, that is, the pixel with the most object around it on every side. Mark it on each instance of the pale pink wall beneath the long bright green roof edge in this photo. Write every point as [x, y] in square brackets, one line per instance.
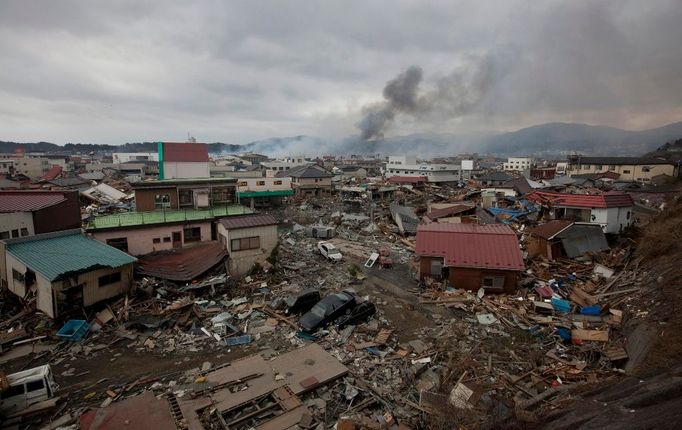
[141, 240]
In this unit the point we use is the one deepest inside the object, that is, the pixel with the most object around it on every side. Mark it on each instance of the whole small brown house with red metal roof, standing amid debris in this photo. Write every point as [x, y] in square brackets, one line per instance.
[470, 256]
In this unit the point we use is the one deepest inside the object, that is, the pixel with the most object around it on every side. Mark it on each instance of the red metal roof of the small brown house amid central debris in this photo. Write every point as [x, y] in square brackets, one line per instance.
[471, 245]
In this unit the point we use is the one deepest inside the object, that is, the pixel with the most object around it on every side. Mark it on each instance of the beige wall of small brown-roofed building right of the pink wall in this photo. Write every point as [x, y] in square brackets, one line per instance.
[240, 262]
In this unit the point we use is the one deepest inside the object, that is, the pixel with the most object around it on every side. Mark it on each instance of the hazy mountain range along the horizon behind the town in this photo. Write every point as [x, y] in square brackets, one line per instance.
[546, 140]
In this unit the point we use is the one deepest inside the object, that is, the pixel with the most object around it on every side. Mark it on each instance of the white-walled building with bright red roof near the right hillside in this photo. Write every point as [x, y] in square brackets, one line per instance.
[612, 210]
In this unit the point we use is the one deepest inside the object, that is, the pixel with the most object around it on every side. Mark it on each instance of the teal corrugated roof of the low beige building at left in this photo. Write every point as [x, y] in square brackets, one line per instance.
[58, 255]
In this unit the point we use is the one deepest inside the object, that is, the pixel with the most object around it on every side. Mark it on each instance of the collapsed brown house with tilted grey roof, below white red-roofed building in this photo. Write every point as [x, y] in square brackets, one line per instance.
[563, 238]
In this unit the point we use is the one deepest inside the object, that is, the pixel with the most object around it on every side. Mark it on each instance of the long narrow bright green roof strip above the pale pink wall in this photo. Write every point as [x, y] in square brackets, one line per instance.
[133, 219]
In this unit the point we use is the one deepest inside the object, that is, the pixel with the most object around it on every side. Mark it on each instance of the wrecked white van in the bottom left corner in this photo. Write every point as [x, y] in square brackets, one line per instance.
[26, 388]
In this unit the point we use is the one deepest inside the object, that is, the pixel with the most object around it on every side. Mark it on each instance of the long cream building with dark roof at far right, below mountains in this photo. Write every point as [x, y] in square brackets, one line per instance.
[637, 169]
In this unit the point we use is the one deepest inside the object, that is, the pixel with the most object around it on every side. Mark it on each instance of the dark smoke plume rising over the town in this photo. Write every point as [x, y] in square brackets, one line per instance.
[451, 96]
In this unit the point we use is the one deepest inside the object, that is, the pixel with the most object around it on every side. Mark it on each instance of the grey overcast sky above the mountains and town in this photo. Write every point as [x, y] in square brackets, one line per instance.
[115, 72]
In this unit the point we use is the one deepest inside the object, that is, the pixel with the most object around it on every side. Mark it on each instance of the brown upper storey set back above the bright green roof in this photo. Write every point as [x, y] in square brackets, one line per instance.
[184, 193]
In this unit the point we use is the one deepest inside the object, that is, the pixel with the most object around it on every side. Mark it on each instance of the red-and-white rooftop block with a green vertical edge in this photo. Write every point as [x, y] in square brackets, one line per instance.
[183, 160]
